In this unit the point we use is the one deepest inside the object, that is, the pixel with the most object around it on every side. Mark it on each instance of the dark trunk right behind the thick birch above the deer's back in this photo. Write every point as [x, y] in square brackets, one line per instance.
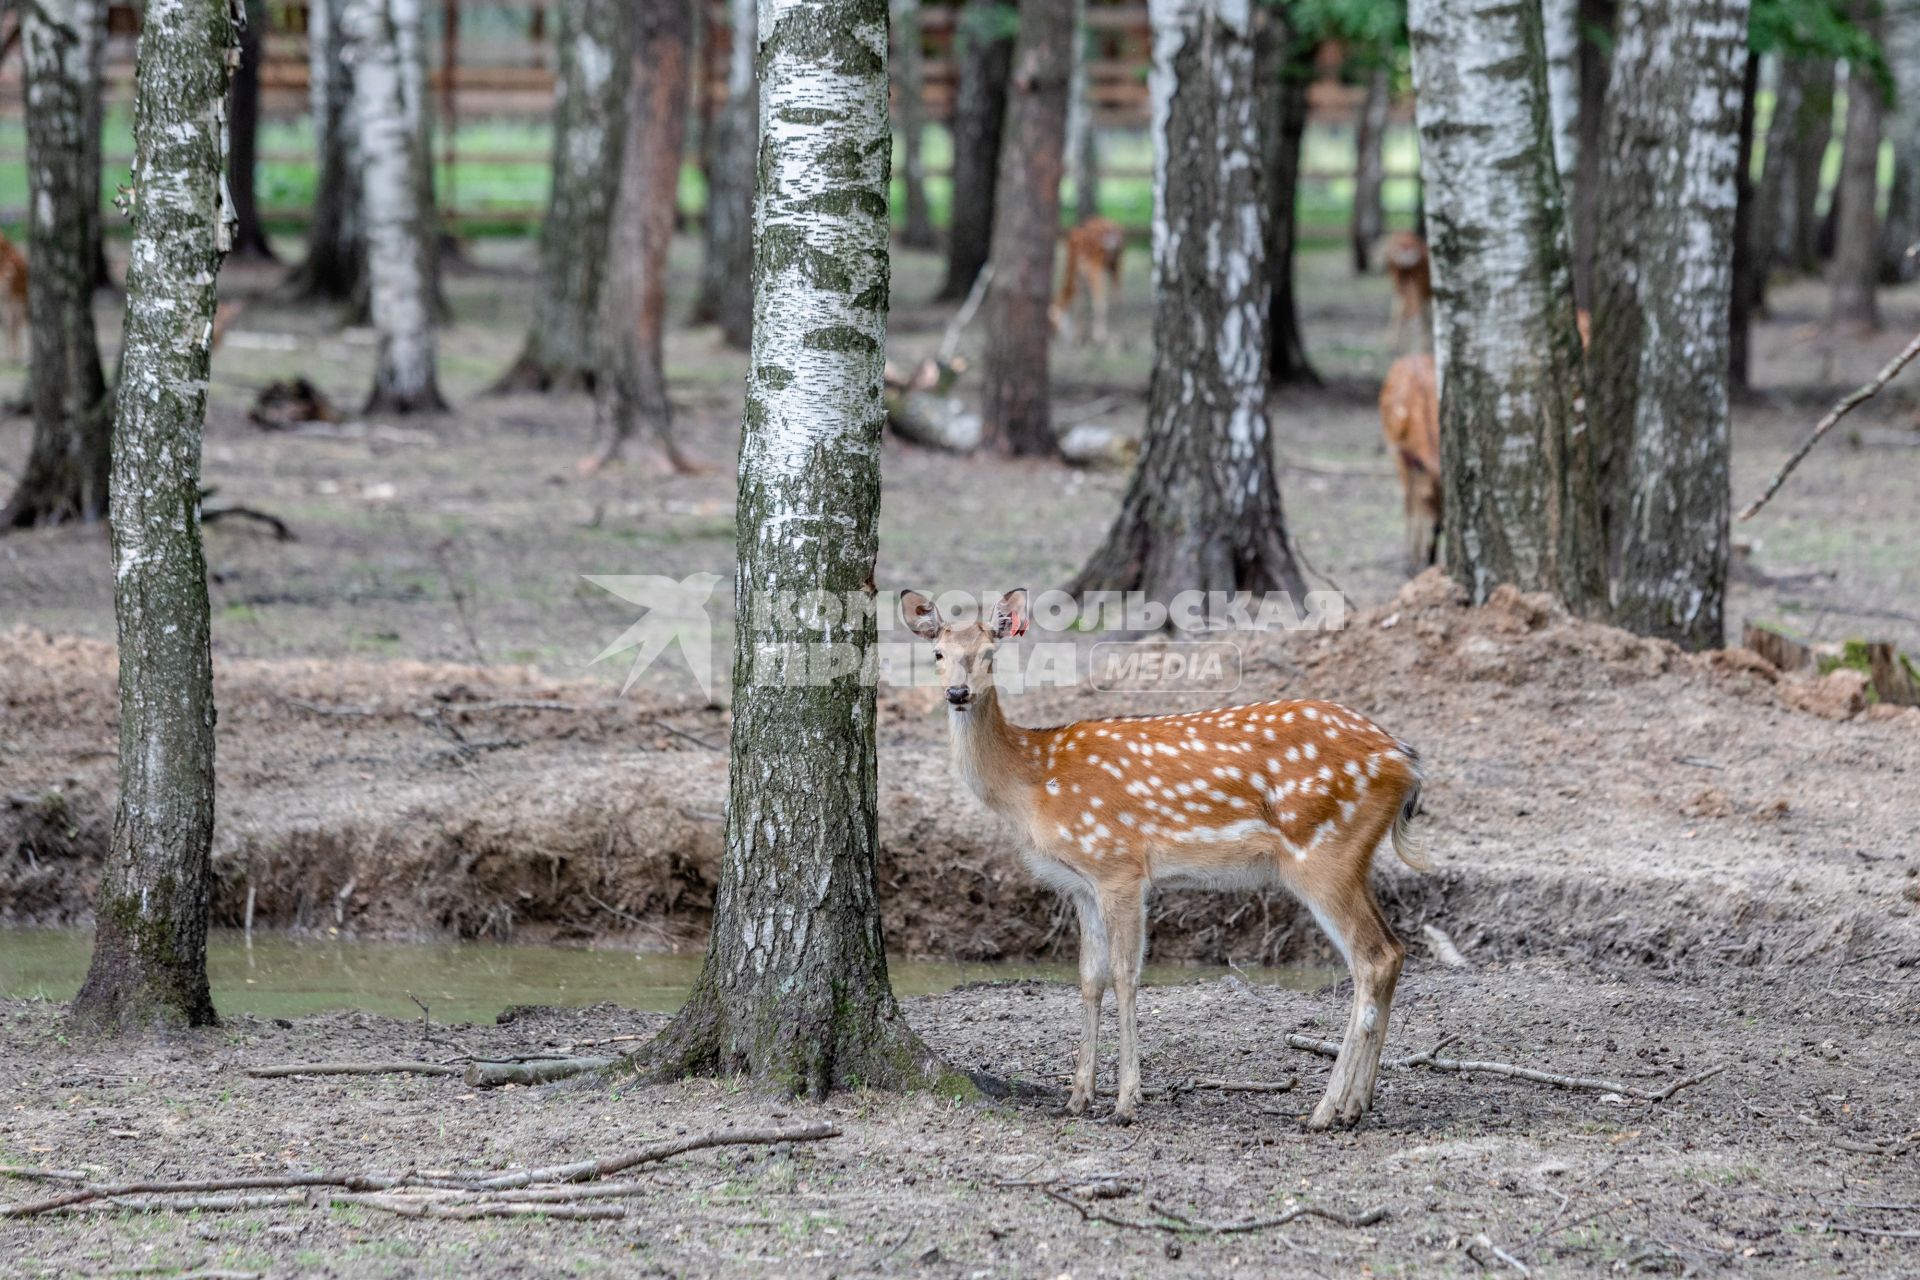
[1284, 80]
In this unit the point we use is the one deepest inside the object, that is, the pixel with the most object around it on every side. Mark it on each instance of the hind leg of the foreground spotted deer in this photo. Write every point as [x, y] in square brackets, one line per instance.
[1353, 918]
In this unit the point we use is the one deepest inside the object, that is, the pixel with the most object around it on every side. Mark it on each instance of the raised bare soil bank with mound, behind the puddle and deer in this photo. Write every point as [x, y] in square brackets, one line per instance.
[1593, 795]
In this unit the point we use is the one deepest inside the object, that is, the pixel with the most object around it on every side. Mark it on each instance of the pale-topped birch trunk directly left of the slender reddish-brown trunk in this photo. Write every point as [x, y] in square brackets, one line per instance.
[590, 122]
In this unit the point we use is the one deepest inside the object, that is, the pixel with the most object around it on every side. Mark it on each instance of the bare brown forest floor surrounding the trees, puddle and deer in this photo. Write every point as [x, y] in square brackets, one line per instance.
[1654, 863]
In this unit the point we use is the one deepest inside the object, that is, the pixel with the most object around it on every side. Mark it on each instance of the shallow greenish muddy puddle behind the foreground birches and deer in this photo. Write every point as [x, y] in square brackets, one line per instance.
[279, 976]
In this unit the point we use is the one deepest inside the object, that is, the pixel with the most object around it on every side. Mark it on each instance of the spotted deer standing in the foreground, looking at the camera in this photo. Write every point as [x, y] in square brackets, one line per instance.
[1293, 794]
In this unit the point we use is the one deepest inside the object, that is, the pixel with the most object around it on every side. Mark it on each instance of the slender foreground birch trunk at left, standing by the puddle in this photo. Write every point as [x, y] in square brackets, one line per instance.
[151, 916]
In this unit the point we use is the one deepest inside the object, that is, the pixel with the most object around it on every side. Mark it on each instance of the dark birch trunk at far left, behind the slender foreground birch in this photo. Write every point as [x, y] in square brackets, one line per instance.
[68, 465]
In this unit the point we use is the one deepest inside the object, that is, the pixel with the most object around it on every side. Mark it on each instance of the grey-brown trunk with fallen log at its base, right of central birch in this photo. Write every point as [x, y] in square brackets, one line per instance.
[1015, 385]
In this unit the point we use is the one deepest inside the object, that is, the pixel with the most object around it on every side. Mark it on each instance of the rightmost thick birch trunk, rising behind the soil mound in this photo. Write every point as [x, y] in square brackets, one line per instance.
[1662, 291]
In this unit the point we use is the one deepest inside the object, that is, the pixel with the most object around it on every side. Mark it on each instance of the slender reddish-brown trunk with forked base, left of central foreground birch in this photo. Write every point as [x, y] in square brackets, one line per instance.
[635, 392]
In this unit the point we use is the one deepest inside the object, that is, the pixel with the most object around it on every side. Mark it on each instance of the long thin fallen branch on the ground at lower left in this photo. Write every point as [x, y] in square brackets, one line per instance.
[191, 1195]
